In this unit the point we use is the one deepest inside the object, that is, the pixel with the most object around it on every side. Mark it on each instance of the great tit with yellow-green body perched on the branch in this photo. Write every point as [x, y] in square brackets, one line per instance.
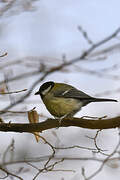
[63, 100]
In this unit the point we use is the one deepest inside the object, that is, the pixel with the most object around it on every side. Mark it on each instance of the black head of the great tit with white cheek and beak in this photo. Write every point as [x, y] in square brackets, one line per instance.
[45, 88]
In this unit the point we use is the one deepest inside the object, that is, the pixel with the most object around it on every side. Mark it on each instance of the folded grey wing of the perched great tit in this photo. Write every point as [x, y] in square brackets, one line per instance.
[73, 93]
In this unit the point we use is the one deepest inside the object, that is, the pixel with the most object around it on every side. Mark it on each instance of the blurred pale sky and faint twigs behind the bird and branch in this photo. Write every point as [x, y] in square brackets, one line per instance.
[37, 36]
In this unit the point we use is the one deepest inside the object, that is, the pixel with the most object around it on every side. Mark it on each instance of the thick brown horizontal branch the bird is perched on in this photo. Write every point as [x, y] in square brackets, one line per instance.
[53, 123]
